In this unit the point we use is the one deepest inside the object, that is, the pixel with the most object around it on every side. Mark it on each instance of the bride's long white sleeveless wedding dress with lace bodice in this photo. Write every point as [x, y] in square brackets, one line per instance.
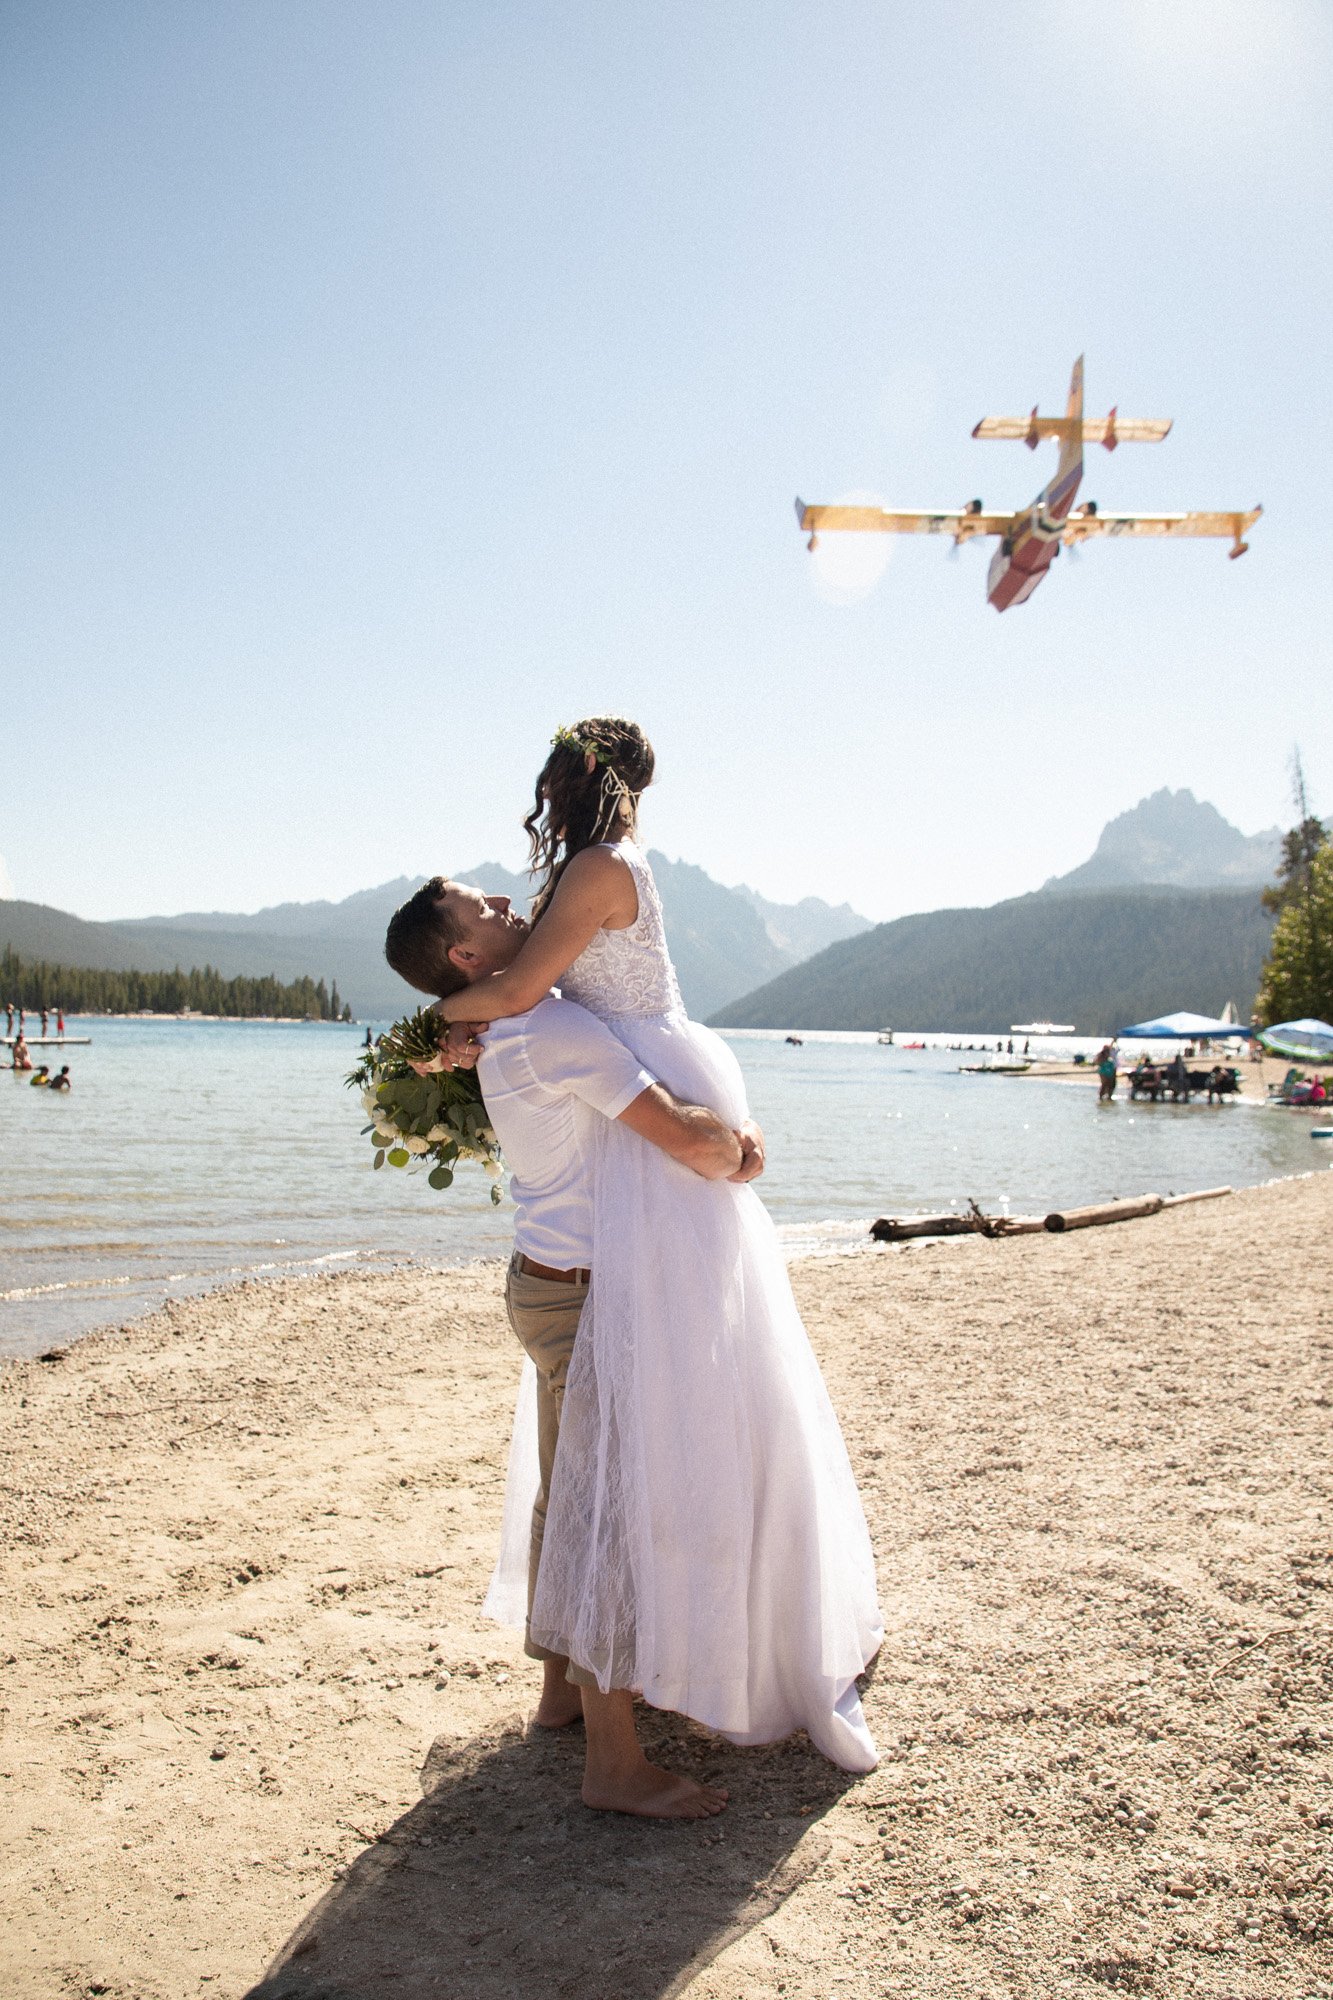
[706, 1539]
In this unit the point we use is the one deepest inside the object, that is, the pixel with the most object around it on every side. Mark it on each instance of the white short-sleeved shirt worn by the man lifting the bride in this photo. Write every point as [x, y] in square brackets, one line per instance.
[547, 1077]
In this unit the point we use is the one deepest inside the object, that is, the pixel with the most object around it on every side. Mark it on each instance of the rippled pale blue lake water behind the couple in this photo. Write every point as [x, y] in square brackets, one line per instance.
[199, 1153]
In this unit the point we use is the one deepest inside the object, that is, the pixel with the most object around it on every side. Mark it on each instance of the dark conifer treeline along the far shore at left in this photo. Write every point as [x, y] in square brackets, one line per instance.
[35, 983]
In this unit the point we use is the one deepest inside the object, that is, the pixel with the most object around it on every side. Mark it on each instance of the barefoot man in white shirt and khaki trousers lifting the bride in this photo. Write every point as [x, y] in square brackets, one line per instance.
[547, 1077]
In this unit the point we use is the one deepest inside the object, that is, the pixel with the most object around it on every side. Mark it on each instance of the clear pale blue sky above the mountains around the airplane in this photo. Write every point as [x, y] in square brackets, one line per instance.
[385, 385]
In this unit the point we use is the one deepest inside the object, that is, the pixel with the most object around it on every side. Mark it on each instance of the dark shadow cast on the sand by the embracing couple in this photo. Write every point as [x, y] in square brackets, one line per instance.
[501, 1885]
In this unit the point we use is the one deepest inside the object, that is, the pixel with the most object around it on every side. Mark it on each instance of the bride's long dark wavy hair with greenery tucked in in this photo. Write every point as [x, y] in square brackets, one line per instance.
[577, 807]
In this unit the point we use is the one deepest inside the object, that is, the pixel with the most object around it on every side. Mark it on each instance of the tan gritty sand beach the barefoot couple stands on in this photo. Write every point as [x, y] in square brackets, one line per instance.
[259, 1741]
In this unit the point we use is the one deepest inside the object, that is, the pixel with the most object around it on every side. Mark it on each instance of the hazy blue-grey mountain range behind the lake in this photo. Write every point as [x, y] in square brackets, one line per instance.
[1164, 915]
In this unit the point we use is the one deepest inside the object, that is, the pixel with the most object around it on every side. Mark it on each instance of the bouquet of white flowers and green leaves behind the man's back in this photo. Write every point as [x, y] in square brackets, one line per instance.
[437, 1119]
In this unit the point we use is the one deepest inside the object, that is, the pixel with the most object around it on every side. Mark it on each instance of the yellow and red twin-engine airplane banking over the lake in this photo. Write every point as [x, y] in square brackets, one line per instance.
[1032, 539]
